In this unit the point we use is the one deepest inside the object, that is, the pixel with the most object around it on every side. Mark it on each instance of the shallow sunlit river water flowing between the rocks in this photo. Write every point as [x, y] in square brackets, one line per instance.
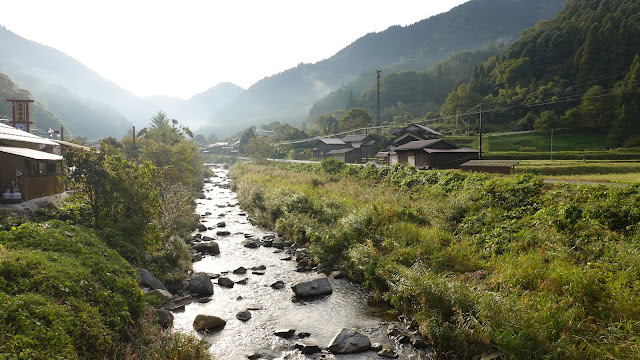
[272, 309]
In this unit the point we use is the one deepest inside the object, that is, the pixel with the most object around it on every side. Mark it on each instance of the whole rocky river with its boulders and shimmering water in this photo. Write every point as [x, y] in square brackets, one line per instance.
[254, 296]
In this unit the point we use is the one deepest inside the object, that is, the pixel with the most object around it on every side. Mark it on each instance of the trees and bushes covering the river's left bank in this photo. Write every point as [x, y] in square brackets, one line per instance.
[71, 277]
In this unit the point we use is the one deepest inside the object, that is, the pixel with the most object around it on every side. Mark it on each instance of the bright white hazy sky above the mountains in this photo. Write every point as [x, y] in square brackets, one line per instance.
[181, 48]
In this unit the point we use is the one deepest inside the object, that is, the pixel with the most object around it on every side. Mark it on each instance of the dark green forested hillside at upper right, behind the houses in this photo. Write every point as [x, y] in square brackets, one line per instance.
[578, 71]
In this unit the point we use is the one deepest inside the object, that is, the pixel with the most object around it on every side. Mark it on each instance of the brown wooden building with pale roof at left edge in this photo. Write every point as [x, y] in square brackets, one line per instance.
[27, 170]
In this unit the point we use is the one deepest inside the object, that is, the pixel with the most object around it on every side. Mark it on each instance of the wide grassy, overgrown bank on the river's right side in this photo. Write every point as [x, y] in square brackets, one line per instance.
[482, 264]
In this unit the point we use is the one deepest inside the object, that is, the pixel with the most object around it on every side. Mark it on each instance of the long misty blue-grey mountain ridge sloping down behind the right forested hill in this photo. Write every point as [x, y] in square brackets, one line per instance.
[288, 96]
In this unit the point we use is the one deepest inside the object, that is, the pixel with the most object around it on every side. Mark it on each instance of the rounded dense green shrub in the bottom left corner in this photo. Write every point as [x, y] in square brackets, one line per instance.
[82, 294]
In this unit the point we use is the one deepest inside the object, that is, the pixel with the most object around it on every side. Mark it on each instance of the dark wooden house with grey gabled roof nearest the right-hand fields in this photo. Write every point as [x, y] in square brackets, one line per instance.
[432, 154]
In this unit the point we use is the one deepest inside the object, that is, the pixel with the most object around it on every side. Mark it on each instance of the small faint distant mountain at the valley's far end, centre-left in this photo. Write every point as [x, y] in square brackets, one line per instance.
[196, 111]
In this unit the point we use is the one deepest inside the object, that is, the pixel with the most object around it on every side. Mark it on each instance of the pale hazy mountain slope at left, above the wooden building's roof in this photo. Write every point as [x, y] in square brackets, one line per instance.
[89, 104]
